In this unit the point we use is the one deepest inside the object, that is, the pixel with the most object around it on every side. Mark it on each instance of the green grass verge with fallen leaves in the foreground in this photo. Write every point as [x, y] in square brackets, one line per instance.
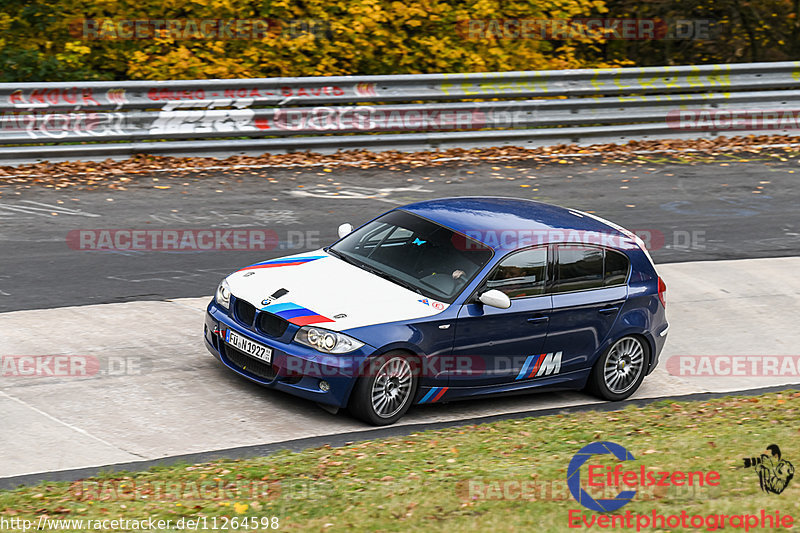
[420, 482]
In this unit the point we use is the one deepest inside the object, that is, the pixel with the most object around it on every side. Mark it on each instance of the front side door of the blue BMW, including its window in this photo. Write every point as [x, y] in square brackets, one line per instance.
[494, 346]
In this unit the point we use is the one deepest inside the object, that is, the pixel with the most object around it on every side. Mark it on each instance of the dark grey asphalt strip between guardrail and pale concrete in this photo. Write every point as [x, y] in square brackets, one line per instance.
[708, 212]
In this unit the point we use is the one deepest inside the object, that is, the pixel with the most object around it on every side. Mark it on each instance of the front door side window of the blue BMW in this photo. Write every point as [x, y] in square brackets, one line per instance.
[521, 274]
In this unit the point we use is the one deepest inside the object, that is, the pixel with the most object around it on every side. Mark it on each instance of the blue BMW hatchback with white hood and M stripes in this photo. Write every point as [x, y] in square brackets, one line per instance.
[443, 300]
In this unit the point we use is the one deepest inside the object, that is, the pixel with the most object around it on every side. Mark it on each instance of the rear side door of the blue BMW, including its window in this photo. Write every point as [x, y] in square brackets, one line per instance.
[588, 290]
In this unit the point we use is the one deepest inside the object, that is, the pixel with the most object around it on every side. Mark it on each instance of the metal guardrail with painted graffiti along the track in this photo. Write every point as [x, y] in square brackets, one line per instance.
[92, 120]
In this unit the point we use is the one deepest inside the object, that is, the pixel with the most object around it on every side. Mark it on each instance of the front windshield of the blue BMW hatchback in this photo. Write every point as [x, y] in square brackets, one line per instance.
[415, 253]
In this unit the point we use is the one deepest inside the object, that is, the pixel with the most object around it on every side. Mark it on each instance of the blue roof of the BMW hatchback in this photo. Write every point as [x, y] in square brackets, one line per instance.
[478, 216]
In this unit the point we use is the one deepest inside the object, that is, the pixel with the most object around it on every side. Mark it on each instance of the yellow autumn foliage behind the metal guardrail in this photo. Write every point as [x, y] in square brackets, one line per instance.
[314, 37]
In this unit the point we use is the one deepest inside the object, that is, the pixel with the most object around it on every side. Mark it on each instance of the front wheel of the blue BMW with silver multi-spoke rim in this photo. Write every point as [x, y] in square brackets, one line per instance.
[385, 373]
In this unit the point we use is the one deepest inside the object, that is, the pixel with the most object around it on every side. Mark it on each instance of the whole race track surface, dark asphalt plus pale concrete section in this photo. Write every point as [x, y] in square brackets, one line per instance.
[157, 392]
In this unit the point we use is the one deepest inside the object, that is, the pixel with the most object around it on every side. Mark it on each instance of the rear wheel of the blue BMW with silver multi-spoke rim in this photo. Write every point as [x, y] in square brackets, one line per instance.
[619, 372]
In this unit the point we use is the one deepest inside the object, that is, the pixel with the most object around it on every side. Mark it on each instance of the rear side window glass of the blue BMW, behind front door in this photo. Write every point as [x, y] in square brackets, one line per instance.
[587, 267]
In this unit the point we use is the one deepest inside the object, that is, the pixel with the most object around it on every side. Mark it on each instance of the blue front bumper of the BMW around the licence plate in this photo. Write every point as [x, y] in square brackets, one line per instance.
[295, 368]
